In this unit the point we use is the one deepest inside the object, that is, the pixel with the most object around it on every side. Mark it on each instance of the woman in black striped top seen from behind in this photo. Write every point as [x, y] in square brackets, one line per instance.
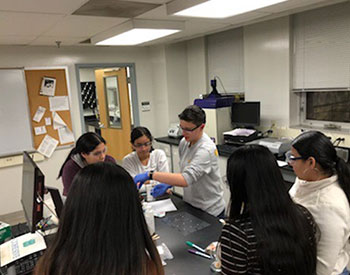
[266, 233]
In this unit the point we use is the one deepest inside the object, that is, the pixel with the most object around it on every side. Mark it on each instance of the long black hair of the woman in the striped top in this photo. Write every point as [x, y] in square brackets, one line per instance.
[280, 227]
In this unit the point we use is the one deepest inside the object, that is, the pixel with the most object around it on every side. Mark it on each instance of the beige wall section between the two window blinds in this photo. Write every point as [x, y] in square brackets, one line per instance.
[267, 43]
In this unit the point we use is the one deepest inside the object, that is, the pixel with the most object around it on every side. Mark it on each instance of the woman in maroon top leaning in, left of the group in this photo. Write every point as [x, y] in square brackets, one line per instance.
[89, 148]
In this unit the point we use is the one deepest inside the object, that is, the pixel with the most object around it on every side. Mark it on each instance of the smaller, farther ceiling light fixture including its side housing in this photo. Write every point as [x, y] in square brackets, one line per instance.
[137, 31]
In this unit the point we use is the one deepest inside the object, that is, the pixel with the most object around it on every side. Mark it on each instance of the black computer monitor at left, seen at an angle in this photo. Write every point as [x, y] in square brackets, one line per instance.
[32, 192]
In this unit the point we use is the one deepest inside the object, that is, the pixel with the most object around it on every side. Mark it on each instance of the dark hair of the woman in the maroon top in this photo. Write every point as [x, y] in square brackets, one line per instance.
[85, 144]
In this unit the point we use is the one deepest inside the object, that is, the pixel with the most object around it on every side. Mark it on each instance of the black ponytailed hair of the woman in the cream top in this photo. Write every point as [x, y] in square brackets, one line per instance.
[315, 144]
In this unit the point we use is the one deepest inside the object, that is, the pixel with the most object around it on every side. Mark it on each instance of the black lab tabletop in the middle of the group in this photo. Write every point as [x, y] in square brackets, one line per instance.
[187, 224]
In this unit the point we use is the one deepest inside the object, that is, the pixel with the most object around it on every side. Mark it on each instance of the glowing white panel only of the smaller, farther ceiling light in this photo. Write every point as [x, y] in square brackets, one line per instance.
[136, 36]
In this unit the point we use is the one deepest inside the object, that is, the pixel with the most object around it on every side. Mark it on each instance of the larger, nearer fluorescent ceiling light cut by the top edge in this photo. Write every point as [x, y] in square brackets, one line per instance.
[221, 8]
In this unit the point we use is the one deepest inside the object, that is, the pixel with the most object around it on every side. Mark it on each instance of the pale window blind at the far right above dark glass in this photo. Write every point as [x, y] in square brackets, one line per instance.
[321, 50]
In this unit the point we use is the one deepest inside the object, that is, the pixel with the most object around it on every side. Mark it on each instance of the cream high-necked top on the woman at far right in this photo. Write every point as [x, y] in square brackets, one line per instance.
[329, 206]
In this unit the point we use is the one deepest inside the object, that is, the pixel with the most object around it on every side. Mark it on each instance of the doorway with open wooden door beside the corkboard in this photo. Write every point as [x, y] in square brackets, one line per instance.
[108, 103]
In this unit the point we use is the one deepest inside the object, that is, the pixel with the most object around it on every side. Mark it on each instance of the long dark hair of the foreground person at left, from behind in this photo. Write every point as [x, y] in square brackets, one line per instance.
[102, 229]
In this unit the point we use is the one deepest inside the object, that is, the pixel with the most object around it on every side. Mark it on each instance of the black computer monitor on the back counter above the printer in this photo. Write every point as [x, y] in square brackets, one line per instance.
[245, 114]
